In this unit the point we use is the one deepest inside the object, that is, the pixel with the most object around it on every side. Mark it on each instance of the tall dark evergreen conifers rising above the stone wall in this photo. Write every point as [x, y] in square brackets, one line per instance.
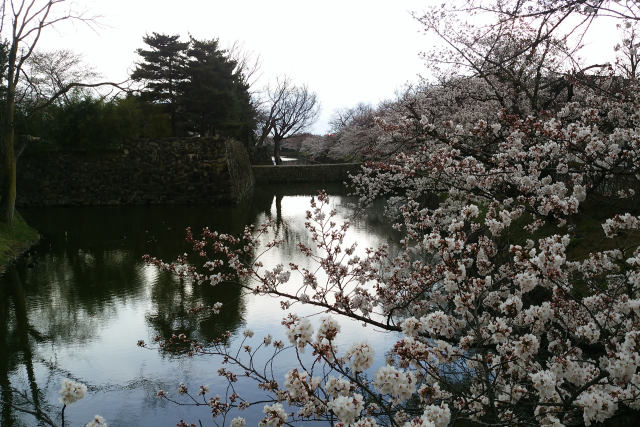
[201, 86]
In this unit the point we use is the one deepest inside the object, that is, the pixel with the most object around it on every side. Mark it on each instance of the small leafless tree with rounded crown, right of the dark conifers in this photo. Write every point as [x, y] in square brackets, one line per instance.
[290, 109]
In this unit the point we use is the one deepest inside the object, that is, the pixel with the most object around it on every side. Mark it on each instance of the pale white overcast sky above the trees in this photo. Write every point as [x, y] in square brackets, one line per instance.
[347, 51]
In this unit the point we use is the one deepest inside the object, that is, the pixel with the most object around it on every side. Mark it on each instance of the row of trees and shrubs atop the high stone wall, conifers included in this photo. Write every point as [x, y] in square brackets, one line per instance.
[183, 88]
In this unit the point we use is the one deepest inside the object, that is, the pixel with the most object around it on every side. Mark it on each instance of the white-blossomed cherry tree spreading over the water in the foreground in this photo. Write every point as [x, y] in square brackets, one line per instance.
[508, 309]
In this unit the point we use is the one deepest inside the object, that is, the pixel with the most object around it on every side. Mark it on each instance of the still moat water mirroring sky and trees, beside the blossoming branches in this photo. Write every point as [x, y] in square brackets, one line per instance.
[90, 298]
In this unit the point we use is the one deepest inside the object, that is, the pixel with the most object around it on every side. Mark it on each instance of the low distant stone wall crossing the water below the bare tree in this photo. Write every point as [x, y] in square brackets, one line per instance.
[270, 174]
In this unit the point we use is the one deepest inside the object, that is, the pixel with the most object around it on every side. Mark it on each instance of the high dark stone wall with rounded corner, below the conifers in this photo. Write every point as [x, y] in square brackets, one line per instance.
[169, 171]
